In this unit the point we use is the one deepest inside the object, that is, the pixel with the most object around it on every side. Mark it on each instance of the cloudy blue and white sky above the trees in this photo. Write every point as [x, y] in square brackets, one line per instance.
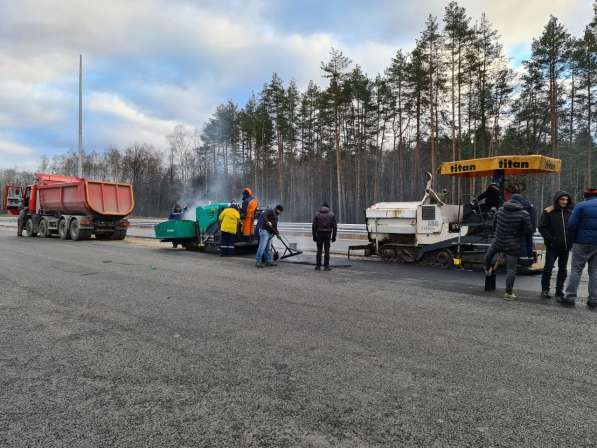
[150, 65]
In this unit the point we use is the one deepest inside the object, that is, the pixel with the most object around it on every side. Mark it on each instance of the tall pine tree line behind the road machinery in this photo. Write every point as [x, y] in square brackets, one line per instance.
[357, 139]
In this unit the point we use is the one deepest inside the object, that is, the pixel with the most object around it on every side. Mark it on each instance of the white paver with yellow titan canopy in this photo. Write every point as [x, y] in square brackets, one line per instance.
[432, 232]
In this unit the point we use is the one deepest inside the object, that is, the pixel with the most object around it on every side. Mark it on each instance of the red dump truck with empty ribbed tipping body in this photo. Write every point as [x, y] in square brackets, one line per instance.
[71, 207]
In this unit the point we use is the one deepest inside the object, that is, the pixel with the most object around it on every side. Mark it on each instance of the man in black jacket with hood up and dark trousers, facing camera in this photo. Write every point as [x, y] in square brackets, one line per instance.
[553, 228]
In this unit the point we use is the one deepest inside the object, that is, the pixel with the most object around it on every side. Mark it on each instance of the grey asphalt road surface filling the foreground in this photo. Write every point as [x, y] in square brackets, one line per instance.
[133, 344]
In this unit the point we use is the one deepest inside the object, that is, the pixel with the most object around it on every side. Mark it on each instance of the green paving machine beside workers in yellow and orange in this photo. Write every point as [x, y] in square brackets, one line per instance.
[202, 230]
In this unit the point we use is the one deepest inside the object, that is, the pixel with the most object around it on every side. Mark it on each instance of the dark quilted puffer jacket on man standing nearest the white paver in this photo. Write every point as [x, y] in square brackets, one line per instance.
[513, 222]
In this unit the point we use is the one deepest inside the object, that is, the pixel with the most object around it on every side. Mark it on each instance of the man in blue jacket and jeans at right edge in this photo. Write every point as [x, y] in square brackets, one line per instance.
[582, 226]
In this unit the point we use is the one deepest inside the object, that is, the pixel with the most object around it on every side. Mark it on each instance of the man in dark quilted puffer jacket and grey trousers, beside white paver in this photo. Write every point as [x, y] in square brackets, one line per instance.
[513, 222]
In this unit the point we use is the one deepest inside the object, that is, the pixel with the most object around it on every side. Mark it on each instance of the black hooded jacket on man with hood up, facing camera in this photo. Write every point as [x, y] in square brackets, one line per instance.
[554, 221]
